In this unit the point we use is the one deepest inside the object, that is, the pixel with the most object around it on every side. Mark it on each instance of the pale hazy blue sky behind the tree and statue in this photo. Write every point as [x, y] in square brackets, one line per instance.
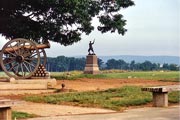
[153, 29]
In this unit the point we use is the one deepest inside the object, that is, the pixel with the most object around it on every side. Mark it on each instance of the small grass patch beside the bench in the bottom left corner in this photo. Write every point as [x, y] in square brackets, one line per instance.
[21, 115]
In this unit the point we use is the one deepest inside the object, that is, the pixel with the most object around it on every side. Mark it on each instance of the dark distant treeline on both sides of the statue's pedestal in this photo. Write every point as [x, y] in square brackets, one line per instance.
[62, 63]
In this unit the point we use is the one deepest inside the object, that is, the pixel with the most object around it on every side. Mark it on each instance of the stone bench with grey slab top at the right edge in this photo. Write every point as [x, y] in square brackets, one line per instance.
[160, 94]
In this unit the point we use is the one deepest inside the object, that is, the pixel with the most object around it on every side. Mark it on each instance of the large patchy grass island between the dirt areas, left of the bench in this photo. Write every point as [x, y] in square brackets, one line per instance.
[111, 98]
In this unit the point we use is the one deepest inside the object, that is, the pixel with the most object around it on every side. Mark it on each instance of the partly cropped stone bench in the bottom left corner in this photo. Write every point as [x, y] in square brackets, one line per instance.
[5, 109]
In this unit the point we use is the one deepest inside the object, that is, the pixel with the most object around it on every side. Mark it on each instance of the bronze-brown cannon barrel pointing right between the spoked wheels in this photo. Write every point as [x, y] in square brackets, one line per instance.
[15, 48]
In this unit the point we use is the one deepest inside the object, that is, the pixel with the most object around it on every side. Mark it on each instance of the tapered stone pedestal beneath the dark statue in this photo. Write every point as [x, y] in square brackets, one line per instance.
[91, 65]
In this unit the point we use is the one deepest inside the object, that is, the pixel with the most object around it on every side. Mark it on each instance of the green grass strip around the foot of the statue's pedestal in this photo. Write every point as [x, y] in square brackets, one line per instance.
[172, 76]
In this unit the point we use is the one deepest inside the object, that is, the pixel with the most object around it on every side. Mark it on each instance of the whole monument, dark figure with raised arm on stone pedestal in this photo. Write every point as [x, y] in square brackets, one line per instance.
[91, 61]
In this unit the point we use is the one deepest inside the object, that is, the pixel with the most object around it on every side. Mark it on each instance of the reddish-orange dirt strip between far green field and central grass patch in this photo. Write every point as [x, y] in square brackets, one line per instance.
[102, 84]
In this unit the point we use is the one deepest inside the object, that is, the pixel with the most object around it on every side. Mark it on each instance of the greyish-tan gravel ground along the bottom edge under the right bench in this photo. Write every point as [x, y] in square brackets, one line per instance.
[170, 113]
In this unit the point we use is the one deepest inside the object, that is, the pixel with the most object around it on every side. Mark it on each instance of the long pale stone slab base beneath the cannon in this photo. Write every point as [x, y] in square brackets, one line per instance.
[28, 84]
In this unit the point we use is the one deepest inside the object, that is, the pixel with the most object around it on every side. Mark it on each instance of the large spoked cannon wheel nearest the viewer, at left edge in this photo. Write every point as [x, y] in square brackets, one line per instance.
[20, 58]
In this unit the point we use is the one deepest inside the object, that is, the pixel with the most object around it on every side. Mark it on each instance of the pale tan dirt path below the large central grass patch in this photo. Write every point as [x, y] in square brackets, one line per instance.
[41, 109]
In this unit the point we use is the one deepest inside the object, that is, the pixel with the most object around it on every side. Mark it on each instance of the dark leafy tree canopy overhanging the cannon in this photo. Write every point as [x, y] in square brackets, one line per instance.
[61, 21]
